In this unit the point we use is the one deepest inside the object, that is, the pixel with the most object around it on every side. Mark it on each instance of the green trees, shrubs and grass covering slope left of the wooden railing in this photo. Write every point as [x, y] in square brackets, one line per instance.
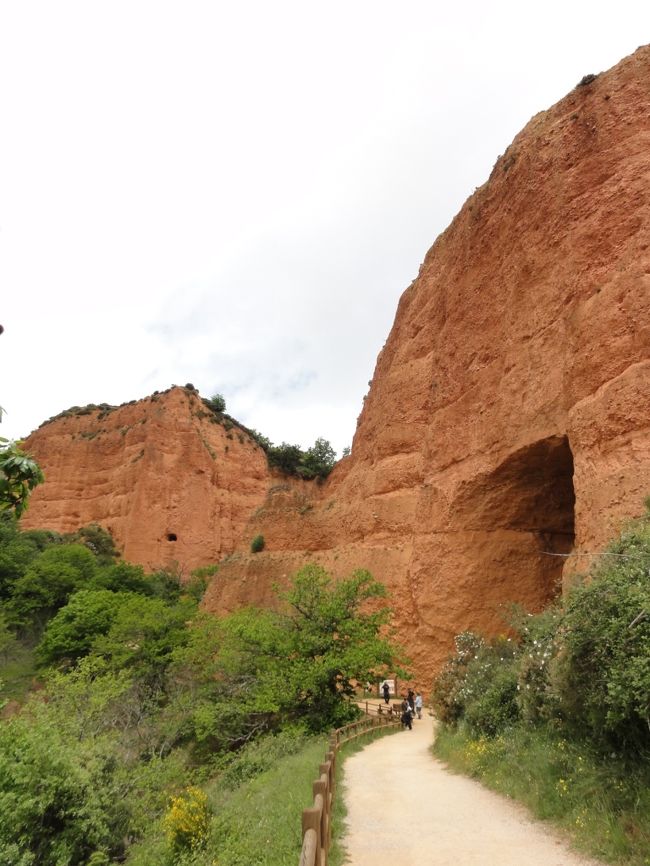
[135, 726]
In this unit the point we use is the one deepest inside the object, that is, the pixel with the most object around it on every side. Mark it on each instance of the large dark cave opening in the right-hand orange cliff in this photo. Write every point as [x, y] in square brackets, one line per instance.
[529, 500]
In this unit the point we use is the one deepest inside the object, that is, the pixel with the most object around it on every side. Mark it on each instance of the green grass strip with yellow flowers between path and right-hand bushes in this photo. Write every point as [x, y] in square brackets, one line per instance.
[602, 804]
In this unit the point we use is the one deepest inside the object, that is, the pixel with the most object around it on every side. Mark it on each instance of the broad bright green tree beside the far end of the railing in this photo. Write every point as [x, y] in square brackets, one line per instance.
[266, 668]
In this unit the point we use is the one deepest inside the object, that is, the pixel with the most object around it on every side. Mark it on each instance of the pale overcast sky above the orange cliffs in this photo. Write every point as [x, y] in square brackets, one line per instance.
[235, 194]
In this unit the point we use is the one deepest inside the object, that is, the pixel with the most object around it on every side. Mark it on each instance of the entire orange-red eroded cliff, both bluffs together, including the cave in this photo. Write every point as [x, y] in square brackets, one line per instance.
[507, 424]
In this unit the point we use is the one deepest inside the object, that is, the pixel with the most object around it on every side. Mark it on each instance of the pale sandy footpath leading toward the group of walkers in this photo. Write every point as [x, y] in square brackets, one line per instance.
[405, 809]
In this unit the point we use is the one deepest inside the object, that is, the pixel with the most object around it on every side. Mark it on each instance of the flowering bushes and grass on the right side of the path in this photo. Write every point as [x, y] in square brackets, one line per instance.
[558, 713]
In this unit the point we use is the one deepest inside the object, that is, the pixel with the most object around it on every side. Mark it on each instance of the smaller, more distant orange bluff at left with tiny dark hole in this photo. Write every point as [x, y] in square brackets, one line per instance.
[170, 484]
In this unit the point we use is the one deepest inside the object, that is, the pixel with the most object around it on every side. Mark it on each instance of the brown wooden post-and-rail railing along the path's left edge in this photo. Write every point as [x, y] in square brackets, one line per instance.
[317, 820]
